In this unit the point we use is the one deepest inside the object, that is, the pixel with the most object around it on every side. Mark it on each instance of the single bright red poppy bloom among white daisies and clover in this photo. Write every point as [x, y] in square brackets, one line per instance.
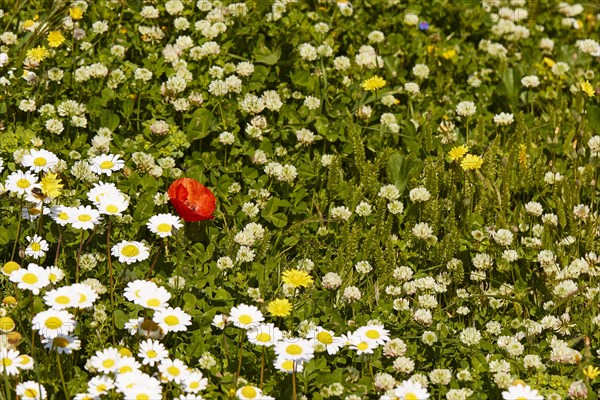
[192, 200]
